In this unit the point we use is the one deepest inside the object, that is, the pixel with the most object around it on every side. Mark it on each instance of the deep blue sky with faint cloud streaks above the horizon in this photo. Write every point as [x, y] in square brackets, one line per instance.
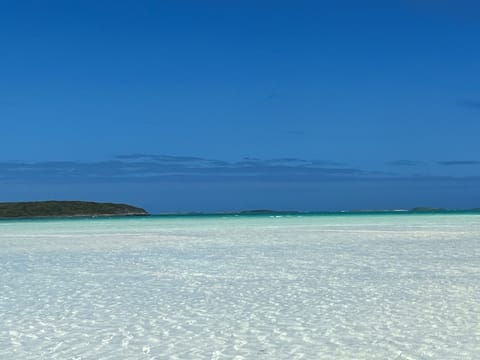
[226, 105]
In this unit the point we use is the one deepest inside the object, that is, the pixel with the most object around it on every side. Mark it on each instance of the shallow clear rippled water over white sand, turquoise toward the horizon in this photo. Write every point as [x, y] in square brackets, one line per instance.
[254, 287]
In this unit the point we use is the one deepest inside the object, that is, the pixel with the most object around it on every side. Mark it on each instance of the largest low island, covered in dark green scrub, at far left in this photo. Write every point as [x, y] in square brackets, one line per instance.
[45, 209]
